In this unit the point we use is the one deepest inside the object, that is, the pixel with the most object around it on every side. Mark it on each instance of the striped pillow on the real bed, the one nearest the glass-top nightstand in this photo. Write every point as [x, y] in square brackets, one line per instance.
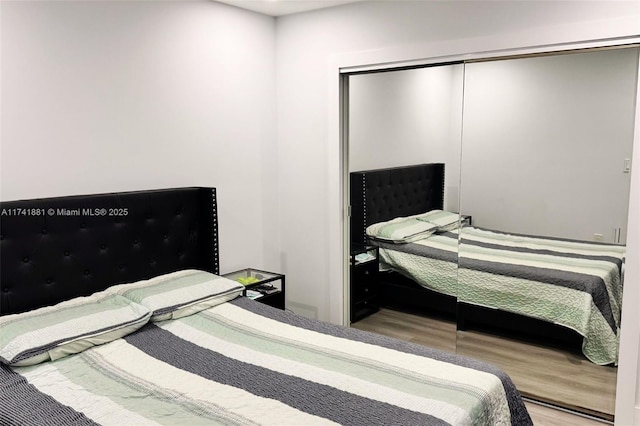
[180, 294]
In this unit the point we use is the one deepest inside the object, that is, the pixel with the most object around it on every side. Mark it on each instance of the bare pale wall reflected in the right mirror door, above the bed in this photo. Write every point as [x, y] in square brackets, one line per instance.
[560, 128]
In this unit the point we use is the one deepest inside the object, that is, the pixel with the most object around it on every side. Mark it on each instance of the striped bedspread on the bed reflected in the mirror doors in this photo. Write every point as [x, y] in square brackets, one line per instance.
[571, 283]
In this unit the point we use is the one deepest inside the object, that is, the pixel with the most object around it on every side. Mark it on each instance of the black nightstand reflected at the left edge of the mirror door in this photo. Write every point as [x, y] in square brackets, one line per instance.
[364, 265]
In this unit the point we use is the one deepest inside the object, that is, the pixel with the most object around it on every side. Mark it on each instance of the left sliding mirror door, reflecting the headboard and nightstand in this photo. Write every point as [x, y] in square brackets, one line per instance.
[404, 159]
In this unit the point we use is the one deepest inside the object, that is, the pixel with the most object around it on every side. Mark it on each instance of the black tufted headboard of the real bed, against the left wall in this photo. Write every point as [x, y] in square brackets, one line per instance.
[54, 249]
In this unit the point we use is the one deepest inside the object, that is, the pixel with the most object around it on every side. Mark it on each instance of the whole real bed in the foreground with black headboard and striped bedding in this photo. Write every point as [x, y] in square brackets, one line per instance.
[117, 315]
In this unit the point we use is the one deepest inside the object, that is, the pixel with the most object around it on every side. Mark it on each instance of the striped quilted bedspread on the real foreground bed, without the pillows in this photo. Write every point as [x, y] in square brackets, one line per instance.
[245, 363]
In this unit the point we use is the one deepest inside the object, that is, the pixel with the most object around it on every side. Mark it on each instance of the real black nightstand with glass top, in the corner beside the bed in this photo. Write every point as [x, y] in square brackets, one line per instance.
[262, 286]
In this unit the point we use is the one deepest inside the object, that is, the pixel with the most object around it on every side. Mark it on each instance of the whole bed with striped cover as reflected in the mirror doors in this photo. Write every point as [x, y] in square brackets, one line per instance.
[561, 291]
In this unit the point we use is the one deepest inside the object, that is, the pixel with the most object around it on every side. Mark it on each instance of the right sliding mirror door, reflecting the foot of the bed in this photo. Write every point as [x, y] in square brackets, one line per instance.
[545, 177]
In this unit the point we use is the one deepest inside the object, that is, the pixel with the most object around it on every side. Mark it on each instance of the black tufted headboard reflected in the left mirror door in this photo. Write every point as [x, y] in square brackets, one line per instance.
[383, 194]
